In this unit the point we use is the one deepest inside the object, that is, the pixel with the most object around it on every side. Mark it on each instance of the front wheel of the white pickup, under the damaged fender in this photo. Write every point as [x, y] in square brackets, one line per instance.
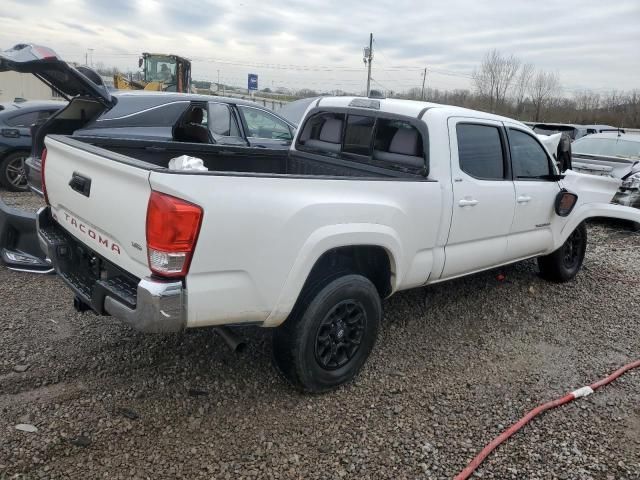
[565, 263]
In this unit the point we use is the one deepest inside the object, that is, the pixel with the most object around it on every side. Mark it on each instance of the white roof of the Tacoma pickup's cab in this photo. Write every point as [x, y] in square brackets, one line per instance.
[411, 108]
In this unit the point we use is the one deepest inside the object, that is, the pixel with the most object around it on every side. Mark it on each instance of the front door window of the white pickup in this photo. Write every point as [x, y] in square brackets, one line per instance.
[528, 159]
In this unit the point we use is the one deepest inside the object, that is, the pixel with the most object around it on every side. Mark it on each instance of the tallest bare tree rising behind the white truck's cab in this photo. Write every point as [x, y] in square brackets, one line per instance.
[494, 77]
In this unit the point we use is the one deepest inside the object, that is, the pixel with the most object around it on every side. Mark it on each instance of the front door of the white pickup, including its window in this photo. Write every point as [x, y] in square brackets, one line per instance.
[535, 191]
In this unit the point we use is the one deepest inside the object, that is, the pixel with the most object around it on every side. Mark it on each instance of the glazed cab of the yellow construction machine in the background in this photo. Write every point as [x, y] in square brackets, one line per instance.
[169, 73]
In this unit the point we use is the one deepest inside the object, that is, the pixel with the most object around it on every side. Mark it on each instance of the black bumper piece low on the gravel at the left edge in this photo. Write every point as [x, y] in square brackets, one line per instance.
[19, 246]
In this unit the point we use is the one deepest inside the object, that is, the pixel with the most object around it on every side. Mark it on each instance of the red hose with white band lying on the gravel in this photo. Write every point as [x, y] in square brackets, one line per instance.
[581, 392]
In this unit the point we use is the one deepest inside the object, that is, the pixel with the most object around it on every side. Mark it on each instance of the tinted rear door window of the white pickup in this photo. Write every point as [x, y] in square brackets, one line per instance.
[480, 151]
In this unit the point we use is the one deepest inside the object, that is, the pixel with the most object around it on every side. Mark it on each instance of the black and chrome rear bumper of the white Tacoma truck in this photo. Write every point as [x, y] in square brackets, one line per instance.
[148, 305]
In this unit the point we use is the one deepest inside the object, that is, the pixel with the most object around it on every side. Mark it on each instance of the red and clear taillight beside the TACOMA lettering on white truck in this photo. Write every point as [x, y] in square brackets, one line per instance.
[173, 226]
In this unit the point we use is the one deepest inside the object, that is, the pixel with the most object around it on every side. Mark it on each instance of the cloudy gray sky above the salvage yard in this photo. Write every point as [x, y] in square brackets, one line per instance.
[590, 43]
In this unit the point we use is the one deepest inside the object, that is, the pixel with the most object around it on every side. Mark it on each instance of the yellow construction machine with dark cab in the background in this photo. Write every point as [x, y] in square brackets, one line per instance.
[160, 73]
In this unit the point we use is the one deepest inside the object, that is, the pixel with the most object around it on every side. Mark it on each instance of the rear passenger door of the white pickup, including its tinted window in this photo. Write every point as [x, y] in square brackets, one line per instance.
[483, 196]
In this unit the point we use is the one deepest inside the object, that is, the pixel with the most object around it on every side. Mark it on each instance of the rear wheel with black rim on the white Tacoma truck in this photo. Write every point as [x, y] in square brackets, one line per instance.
[330, 333]
